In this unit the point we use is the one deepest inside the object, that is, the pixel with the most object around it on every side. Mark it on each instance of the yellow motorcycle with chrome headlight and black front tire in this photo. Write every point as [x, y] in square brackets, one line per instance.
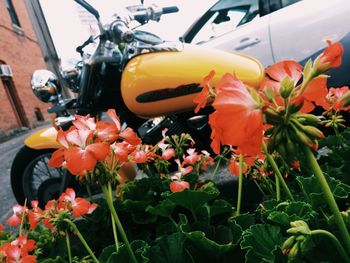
[150, 82]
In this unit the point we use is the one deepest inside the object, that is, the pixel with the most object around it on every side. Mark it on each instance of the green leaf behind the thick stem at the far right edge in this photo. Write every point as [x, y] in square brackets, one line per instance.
[312, 190]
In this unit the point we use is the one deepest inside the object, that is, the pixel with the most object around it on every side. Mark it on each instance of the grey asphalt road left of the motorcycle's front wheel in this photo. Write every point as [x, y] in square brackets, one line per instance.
[8, 152]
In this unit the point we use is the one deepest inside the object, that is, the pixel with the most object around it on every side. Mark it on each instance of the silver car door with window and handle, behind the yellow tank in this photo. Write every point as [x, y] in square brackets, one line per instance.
[237, 27]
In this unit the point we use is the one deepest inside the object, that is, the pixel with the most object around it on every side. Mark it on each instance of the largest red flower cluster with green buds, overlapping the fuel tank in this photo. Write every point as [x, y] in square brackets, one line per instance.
[278, 109]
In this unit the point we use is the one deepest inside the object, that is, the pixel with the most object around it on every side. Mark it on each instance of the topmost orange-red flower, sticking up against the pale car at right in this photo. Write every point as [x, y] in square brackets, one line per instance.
[330, 58]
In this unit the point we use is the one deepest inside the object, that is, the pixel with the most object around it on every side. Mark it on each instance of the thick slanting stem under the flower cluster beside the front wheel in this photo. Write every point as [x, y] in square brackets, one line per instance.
[107, 193]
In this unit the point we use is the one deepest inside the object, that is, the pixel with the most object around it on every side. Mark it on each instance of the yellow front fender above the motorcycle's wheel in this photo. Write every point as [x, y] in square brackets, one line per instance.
[43, 139]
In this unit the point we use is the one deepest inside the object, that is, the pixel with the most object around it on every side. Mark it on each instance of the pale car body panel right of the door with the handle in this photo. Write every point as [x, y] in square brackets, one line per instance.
[300, 30]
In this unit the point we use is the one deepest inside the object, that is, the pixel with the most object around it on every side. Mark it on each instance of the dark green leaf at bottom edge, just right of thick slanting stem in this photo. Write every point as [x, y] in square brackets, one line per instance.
[170, 249]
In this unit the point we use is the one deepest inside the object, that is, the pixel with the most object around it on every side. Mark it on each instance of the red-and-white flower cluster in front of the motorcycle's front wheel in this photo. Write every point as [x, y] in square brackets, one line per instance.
[89, 142]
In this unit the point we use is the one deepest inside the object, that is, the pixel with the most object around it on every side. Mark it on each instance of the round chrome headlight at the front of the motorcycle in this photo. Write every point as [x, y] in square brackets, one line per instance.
[45, 85]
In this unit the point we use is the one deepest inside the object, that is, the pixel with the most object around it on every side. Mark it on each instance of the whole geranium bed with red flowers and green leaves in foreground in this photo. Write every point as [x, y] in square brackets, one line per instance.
[268, 137]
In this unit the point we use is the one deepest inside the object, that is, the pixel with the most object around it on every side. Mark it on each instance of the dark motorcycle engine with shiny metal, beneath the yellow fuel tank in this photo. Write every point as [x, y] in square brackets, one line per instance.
[151, 131]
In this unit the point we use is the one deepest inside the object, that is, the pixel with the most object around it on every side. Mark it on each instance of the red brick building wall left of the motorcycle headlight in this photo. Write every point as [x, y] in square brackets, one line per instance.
[20, 50]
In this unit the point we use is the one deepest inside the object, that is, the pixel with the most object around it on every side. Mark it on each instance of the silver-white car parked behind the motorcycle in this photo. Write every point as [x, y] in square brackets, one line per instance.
[274, 30]
